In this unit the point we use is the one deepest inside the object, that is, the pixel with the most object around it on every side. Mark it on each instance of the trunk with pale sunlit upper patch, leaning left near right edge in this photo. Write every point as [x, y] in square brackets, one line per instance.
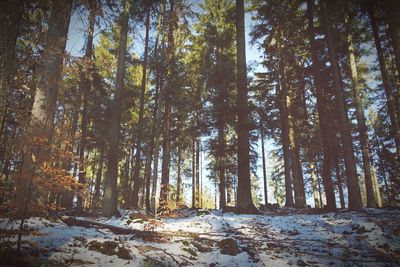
[362, 127]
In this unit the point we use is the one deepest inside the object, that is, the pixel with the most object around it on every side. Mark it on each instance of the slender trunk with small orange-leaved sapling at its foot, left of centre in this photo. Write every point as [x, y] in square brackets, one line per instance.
[166, 156]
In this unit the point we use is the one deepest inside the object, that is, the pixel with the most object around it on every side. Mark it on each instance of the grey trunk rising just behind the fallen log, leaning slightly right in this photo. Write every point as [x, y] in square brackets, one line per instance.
[110, 206]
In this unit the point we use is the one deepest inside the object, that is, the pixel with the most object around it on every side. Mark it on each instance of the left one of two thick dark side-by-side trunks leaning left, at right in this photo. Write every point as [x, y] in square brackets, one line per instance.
[316, 70]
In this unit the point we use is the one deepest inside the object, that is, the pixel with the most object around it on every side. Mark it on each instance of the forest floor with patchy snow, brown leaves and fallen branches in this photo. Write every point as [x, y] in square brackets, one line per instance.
[211, 238]
